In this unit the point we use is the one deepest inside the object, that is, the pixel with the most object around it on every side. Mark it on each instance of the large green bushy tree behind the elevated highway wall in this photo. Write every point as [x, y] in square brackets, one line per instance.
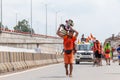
[23, 26]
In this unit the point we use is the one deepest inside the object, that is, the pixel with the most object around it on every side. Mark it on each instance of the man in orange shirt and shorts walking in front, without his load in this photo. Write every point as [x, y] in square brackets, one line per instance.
[68, 44]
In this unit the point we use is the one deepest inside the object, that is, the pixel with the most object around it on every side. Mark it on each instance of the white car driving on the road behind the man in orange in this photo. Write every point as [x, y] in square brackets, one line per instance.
[84, 53]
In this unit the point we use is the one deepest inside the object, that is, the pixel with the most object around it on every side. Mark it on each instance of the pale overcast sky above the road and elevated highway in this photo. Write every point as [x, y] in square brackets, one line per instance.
[99, 17]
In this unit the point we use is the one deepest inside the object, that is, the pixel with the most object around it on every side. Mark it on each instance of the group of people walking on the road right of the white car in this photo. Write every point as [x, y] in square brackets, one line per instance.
[105, 52]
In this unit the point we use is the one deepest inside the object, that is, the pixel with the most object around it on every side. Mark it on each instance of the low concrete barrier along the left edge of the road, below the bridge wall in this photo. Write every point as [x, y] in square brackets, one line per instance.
[15, 61]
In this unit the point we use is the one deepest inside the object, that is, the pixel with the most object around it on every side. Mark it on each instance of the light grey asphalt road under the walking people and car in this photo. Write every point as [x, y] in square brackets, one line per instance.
[83, 71]
